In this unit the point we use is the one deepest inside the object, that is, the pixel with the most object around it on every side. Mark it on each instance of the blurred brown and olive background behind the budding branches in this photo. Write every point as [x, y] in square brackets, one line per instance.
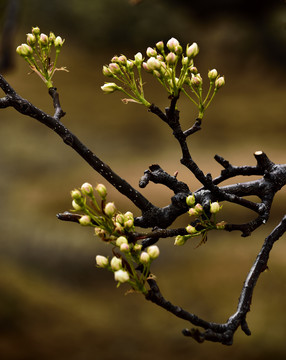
[54, 302]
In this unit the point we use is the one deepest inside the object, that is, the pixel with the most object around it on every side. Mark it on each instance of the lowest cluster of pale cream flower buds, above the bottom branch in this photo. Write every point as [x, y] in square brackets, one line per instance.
[131, 264]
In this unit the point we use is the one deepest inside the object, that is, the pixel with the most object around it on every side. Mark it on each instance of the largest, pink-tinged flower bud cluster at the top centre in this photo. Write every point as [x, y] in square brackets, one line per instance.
[173, 68]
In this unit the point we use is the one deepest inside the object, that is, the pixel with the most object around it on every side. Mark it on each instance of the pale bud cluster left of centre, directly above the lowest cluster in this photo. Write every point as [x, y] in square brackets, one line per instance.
[107, 221]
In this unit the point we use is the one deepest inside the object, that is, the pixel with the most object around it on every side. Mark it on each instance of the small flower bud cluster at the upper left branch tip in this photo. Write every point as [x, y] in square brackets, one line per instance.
[37, 51]
